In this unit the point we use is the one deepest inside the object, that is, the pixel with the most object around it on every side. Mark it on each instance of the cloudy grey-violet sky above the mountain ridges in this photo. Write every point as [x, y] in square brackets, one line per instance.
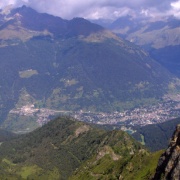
[95, 9]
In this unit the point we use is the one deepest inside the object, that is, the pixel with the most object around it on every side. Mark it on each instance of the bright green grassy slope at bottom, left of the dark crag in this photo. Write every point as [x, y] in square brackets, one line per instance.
[140, 166]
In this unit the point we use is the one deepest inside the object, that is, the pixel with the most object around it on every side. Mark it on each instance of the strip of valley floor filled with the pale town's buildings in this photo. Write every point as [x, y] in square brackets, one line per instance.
[169, 108]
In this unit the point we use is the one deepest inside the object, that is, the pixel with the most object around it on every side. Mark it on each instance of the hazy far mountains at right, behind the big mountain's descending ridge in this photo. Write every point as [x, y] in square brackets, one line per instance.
[161, 38]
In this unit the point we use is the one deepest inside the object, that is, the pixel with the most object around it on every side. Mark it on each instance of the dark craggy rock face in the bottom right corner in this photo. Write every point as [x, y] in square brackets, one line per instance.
[169, 162]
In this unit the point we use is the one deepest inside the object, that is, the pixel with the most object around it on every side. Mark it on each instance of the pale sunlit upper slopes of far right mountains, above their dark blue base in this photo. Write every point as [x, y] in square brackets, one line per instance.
[157, 34]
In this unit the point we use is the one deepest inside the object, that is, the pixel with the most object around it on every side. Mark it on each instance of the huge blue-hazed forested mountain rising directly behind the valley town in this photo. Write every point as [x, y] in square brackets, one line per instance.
[46, 61]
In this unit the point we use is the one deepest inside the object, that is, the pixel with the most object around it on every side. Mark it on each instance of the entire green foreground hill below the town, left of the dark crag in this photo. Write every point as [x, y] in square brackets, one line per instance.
[57, 149]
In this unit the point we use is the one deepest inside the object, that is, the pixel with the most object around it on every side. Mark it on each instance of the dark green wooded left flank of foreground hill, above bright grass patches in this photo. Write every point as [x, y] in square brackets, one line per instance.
[54, 145]
